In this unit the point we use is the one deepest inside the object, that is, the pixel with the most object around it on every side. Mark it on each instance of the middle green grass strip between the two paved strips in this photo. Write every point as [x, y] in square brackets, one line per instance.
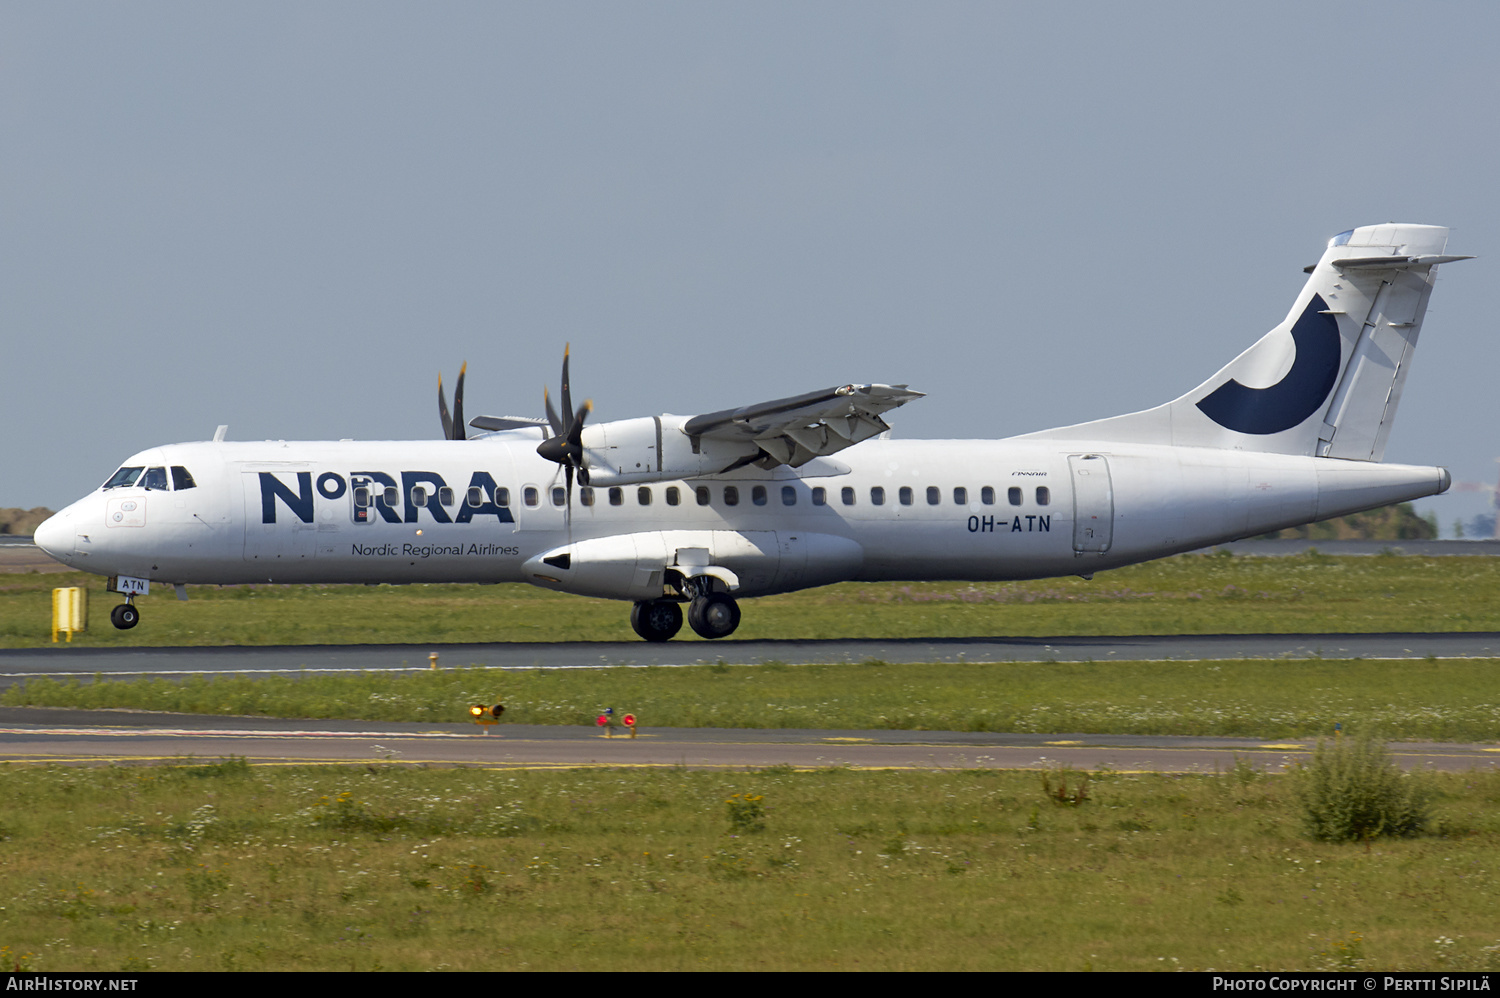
[1451, 700]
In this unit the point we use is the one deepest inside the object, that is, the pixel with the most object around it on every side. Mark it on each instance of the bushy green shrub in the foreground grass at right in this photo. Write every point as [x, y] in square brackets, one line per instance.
[1354, 792]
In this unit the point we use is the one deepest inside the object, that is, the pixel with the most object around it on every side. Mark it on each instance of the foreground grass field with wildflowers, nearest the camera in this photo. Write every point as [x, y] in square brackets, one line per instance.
[229, 867]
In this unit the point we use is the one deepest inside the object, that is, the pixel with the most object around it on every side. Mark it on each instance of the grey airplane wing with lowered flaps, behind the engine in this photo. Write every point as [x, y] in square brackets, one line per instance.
[797, 430]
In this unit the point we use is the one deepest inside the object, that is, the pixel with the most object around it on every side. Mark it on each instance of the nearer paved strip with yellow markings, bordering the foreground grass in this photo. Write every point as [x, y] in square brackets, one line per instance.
[61, 736]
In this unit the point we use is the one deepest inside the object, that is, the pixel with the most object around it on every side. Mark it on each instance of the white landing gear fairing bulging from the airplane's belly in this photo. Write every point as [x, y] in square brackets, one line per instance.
[653, 564]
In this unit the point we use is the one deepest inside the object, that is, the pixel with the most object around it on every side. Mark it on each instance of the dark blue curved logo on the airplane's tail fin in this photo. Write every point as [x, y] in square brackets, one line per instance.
[1298, 395]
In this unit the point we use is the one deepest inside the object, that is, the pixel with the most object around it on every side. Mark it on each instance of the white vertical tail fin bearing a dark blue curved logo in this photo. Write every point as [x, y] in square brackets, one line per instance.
[1328, 379]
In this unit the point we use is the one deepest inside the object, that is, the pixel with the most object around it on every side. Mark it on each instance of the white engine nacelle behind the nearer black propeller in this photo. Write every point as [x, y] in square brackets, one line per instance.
[655, 449]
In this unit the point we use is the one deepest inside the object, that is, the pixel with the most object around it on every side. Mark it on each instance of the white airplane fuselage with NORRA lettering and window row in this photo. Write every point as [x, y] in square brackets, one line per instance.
[976, 510]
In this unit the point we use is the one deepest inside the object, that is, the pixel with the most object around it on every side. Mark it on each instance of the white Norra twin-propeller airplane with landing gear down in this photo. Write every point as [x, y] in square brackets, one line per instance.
[706, 511]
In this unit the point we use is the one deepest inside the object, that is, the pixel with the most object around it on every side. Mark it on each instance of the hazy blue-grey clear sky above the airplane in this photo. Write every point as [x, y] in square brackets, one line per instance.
[293, 217]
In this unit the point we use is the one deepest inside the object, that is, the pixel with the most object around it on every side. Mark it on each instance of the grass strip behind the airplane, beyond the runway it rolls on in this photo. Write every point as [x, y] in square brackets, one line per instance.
[1184, 595]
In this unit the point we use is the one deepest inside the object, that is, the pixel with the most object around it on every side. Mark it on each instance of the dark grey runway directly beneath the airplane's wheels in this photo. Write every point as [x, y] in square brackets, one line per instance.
[62, 661]
